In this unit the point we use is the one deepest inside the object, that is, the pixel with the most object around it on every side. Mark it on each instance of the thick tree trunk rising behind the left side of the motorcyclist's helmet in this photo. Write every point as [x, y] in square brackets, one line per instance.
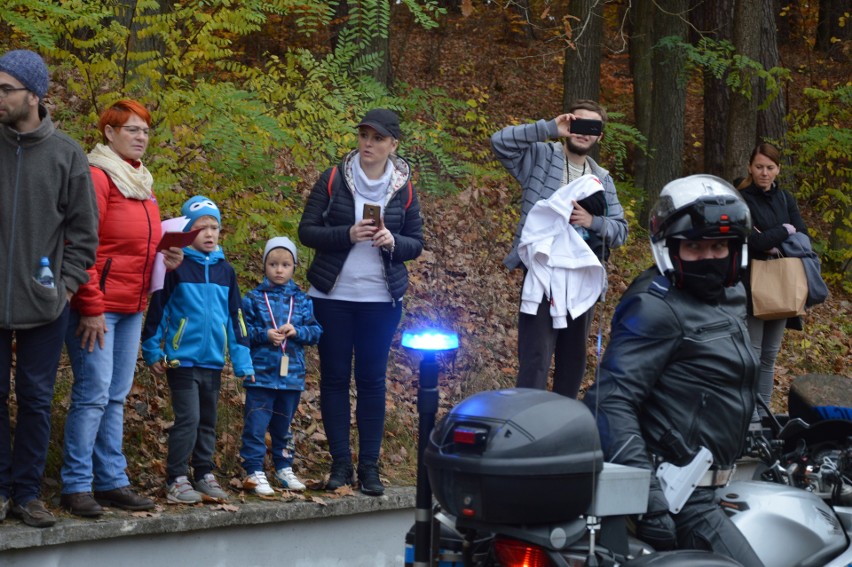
[669, 101]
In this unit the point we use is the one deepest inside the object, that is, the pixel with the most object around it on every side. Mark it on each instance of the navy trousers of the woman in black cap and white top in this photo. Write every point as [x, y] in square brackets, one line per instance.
[364, 330]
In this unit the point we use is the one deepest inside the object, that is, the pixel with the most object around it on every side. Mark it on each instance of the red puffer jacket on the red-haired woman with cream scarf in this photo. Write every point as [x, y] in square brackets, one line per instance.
[128, 231]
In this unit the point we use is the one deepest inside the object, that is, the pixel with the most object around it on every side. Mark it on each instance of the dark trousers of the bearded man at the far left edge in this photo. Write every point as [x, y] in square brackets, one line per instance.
[37, 361]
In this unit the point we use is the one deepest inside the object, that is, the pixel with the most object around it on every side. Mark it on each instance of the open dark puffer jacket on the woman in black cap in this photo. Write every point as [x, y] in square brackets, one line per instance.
[326, 222]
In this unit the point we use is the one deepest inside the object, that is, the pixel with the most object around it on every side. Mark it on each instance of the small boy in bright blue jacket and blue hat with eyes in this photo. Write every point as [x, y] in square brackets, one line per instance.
[196, 317]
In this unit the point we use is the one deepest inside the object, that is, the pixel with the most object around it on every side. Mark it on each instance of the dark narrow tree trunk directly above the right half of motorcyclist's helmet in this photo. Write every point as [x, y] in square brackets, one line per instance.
[717, 96]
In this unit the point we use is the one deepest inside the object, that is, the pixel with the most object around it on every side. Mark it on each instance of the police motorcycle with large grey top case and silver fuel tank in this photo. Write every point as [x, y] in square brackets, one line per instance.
[520, 480]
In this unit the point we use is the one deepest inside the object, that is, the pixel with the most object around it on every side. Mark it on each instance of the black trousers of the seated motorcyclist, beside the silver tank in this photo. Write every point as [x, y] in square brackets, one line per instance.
[702, 524]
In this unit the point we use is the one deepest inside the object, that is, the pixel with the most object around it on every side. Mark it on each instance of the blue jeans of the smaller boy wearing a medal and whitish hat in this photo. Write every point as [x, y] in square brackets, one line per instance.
[267, 408]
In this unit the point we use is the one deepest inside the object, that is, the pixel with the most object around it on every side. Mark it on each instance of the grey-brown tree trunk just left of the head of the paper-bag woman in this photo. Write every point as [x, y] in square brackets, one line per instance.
[742, 119]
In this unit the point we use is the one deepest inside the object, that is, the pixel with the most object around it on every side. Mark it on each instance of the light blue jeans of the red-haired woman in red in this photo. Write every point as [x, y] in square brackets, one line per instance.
[94, 428]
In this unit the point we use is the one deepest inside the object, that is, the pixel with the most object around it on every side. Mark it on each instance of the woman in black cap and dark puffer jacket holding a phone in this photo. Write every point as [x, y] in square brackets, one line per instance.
[358, 278]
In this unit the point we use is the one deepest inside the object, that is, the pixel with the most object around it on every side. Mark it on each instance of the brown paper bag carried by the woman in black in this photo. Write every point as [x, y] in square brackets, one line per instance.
[779, 288]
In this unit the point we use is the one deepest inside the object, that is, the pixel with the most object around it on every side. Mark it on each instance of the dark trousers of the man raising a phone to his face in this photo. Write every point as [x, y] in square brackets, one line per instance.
[539, 342]
